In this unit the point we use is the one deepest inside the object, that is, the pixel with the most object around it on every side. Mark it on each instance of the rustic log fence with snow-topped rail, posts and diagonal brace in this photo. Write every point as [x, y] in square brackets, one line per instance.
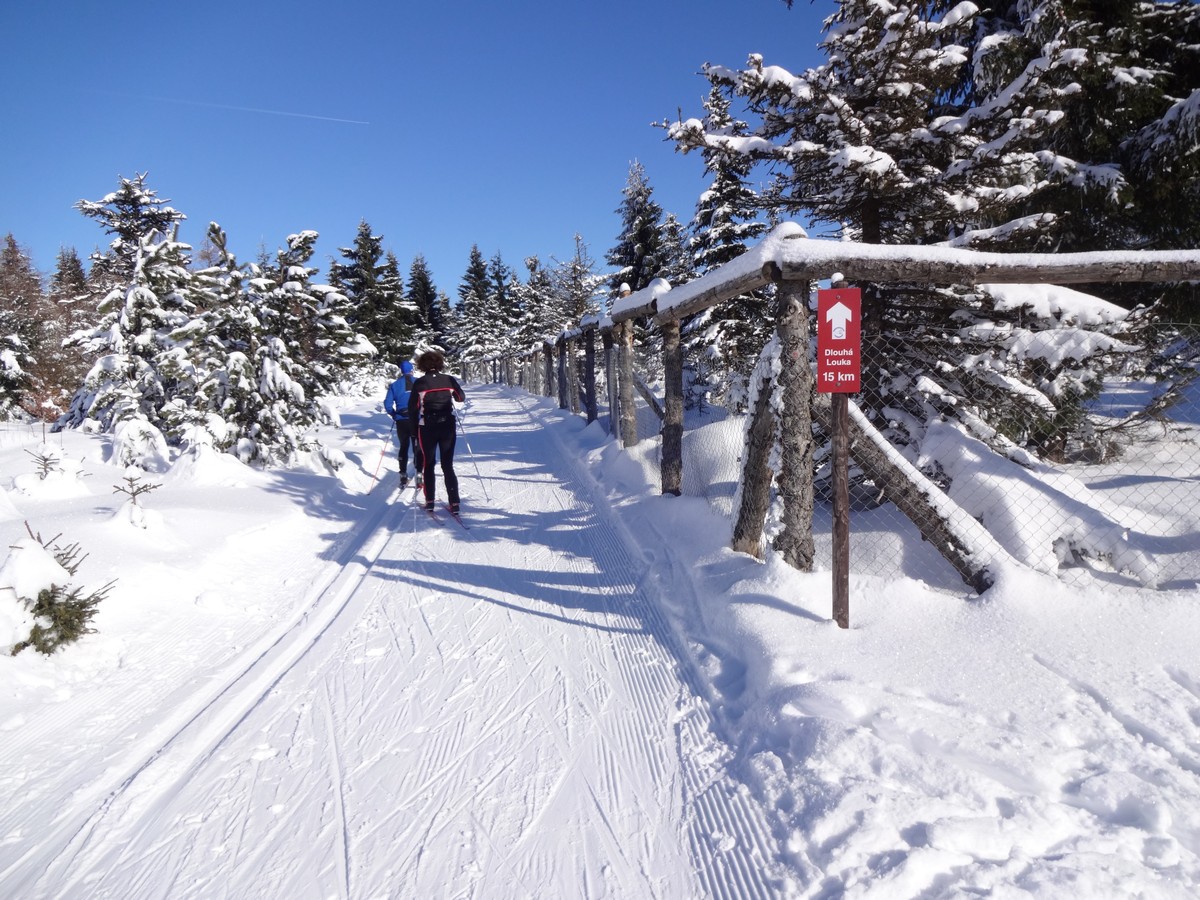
[794, 263]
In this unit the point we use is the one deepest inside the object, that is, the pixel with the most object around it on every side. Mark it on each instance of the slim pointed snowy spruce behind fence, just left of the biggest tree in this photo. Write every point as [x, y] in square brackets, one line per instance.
[723, 344]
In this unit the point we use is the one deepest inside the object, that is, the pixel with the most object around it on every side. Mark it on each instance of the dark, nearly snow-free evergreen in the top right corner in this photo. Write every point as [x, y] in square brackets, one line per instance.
[1136, 109]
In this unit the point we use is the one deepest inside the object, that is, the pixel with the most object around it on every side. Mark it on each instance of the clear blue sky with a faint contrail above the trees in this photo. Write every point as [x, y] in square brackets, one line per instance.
[443, 124]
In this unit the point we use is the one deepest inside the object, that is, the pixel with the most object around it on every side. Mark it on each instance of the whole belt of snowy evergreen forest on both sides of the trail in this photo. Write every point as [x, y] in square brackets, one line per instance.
[1018, 125]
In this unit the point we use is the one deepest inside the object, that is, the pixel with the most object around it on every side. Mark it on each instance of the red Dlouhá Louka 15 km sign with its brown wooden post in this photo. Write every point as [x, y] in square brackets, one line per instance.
[841, 373]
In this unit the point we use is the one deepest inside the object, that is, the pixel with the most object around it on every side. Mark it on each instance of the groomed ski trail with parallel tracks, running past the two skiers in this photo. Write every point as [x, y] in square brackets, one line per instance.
[485, 713]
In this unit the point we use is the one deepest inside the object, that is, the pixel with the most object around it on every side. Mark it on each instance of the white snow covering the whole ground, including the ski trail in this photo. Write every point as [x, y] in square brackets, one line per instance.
[302, 687]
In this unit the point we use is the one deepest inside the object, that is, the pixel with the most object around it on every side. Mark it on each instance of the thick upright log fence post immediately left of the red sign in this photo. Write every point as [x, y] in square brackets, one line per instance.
[795, 542]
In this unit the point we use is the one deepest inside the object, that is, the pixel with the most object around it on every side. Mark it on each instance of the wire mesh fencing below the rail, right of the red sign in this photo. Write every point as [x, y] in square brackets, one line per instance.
[1089, 467]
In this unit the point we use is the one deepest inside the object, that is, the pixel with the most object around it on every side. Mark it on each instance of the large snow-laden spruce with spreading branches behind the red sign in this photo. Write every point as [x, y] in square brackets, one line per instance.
[921, 129]
